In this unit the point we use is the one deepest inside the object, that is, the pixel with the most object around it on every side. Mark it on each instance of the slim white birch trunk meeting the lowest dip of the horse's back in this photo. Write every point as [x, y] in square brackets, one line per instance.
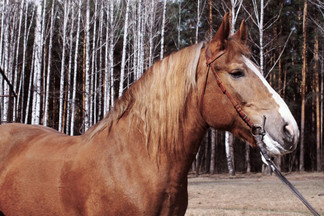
[75, 73]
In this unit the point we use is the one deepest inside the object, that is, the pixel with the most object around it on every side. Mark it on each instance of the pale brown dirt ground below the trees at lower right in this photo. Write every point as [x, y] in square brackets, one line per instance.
[254, 195]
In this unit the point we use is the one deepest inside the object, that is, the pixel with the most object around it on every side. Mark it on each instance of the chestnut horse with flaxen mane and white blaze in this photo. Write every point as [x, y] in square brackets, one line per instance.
[135, 161]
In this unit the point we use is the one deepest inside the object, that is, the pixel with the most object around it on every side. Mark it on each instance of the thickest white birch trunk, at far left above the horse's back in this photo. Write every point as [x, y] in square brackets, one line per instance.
[38, 49]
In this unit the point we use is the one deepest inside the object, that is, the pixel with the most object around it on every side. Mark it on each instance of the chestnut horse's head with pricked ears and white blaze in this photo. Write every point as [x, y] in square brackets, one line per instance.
[245, 83]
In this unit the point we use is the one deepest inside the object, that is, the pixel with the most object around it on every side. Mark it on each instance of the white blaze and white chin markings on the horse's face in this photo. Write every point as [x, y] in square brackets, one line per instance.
[272, 145]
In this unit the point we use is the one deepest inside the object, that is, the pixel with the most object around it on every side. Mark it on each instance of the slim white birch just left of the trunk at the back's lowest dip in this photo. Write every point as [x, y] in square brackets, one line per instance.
[62, 76]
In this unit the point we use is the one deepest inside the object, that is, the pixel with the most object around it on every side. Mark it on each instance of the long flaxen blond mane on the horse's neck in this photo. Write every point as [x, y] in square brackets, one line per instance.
[157, 100]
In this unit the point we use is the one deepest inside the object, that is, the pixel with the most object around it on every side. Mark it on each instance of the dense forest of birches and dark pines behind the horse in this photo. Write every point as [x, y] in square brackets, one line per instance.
[64, 63]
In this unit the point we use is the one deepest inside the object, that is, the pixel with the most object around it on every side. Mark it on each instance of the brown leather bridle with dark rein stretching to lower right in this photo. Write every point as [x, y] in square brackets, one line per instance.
[257, 131]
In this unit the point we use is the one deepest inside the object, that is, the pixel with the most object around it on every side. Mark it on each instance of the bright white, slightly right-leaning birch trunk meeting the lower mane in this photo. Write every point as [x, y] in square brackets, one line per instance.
[123, 61]
